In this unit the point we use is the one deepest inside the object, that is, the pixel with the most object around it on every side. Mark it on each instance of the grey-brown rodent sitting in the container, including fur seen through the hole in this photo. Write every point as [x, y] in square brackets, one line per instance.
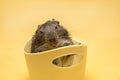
[52, 35]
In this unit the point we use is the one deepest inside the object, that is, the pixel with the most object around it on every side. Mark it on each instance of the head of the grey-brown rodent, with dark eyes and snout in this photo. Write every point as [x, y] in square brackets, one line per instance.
[53, 31]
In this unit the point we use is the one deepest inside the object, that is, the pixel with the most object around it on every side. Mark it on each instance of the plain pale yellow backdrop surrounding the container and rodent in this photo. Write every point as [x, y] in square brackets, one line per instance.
[96, 23]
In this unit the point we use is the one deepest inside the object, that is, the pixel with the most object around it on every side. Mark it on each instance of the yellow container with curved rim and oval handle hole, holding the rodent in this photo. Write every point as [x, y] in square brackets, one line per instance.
[40, 64]
